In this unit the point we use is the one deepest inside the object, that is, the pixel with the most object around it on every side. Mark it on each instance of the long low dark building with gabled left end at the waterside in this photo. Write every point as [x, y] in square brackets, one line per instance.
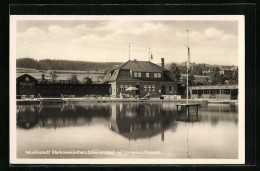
[28, 85]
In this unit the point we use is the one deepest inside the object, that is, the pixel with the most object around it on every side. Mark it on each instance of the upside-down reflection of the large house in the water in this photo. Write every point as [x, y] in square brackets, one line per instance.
[134, 121]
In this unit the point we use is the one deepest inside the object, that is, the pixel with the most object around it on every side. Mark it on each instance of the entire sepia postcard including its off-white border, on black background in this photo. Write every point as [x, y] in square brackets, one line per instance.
[112, 89]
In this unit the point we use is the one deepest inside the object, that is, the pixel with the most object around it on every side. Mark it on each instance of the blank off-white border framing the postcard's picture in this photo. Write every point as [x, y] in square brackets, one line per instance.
[241, 96]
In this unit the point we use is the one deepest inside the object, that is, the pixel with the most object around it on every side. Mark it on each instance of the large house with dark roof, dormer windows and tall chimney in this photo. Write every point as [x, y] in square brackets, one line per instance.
[144, 77]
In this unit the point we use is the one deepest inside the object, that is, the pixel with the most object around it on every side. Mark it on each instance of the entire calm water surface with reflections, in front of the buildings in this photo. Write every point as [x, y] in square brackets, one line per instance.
[126, 126]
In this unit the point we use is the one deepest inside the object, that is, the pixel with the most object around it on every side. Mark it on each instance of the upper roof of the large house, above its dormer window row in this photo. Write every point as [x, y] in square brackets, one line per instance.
[140, 66]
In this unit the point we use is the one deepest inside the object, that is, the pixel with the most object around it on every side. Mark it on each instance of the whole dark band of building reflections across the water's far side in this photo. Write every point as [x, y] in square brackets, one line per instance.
[131, 120]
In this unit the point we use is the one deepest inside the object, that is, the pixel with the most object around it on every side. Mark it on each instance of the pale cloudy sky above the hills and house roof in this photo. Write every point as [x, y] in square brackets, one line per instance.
[212, 42]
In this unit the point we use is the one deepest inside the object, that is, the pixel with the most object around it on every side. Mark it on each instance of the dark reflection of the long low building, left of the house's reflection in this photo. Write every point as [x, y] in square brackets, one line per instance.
[59, 115]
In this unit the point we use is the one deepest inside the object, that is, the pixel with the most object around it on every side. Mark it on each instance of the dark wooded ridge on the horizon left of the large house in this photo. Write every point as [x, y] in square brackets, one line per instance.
[48, 64]
